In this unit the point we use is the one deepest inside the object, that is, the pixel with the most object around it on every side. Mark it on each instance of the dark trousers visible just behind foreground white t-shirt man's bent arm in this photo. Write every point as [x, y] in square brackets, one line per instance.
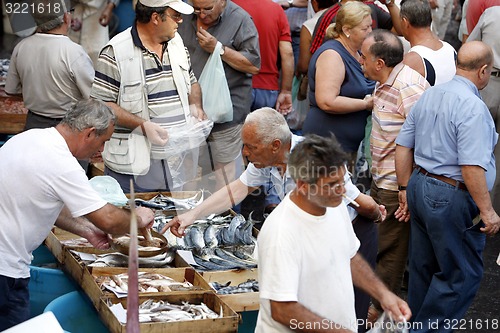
[366, 232]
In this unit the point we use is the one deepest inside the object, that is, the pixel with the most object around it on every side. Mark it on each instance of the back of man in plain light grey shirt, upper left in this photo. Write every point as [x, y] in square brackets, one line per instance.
[51, 72]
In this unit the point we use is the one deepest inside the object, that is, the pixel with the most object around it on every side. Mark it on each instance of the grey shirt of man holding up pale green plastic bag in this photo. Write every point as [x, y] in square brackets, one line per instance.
[235, 30]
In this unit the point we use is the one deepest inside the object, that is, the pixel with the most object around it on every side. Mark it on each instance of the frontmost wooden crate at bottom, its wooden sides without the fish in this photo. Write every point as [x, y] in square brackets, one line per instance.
[225, 324]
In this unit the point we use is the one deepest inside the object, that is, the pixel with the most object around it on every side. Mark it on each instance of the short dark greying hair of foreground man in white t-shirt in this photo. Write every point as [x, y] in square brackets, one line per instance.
[316, 157]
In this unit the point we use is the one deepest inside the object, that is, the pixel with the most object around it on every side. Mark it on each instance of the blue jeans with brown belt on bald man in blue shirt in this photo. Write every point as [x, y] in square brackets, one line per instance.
[446, 263]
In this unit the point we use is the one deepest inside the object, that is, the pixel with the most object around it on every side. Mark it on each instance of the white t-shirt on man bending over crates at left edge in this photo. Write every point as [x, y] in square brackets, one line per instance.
[38, 176]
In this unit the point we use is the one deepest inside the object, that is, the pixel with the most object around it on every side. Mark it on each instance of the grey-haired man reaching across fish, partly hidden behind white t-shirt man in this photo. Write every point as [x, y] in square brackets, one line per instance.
[267, 142]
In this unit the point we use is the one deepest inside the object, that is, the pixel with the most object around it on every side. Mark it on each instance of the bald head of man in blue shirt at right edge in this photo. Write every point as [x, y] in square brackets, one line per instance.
[474, 62]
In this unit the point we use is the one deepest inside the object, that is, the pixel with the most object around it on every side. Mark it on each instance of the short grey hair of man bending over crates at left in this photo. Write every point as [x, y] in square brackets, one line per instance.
[89, 113]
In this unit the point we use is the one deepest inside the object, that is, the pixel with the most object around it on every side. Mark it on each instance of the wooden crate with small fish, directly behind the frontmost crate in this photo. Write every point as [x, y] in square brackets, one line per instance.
[101, 282]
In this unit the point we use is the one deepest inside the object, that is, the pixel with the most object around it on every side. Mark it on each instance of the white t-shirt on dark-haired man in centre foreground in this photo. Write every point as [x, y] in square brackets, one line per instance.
[307, 259]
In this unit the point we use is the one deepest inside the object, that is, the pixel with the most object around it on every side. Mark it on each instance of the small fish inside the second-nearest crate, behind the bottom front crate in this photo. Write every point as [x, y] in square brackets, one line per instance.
[148, 282]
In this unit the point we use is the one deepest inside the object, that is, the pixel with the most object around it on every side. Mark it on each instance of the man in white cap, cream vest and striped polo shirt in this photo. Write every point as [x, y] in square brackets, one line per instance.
[144, 74]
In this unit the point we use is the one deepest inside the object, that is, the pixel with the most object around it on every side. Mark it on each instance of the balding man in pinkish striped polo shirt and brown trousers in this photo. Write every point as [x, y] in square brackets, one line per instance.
[397, 89]
